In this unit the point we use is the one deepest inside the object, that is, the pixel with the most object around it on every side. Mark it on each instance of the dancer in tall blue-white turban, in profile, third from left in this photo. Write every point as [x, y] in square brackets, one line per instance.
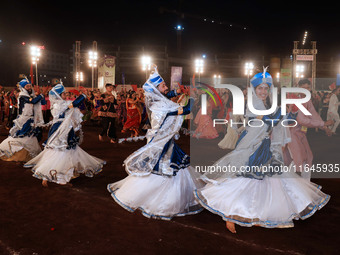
[159, 182]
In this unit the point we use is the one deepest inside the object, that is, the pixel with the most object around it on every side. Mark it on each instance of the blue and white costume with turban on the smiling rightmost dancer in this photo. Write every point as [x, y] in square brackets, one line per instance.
[249, 195]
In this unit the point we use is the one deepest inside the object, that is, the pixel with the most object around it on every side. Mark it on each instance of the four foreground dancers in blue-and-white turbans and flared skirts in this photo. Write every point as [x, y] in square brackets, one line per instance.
[160, 182]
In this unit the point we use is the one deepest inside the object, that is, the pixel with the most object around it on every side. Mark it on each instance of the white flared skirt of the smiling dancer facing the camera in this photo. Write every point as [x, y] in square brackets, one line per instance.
[272, 202]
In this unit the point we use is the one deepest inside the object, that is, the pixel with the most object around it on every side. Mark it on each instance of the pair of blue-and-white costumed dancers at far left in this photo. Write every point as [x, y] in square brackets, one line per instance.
[62, 159]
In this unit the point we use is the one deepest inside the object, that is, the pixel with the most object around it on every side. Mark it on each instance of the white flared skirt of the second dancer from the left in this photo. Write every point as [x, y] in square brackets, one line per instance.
[60, 166]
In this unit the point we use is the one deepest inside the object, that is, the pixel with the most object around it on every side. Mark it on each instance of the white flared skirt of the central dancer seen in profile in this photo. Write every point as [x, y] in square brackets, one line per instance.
[157, 196]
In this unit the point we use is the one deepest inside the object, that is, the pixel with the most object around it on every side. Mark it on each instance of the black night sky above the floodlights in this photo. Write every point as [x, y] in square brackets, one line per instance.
[271, 26]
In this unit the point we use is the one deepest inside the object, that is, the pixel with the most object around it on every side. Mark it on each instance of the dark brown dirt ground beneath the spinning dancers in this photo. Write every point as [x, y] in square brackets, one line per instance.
[84, 219]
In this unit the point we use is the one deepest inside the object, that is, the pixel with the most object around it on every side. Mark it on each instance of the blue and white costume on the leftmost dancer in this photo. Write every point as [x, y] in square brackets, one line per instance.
[26, 130]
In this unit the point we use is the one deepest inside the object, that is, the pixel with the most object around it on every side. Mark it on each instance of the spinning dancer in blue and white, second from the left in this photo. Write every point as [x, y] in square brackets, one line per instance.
[63, 159]
